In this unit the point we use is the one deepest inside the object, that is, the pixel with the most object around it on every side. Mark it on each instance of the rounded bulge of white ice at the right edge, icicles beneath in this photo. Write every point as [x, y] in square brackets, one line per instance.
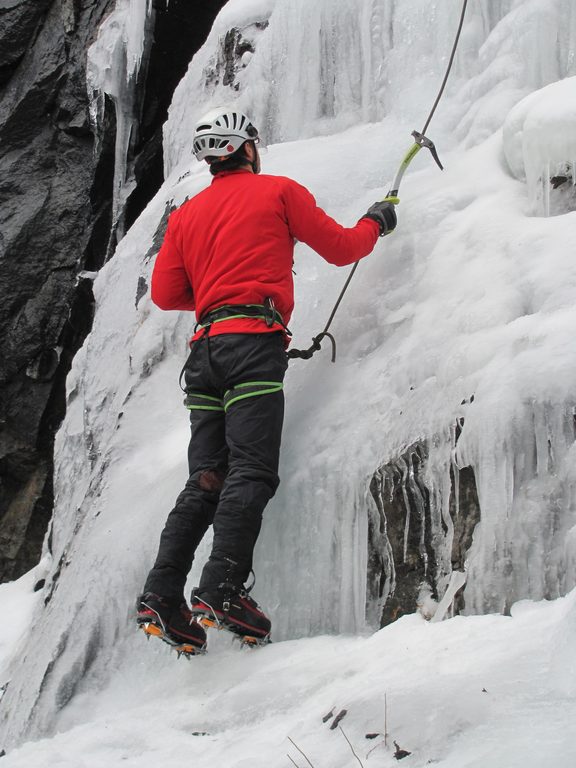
[540, 146]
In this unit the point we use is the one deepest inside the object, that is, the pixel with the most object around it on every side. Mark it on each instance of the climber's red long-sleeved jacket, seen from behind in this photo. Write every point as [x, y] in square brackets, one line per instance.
[233, 243]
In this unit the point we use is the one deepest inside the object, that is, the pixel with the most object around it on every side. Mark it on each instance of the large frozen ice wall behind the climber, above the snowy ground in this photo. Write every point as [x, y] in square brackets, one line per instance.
[469, 297]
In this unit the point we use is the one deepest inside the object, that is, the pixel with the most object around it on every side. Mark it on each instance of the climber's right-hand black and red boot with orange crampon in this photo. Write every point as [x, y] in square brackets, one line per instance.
[234, 611]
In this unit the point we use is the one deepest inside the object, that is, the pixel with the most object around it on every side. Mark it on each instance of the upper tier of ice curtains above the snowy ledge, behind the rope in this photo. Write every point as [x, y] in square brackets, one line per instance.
[318, 68]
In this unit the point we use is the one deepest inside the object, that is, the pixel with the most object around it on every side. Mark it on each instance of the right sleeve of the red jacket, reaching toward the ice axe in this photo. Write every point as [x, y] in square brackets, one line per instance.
[336, 244]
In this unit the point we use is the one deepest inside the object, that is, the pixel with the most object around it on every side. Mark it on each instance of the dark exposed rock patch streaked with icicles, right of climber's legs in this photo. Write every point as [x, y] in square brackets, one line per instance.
[419, 530]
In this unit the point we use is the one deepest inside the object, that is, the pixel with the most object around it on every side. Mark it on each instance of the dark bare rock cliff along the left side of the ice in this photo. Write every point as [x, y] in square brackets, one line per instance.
[55, 223]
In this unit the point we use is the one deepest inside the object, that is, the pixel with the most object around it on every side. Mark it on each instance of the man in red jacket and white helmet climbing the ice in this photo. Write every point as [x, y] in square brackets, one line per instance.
[227, 255]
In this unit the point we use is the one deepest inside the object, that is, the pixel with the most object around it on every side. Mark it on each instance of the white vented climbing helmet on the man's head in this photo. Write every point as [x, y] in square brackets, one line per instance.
[221, 132]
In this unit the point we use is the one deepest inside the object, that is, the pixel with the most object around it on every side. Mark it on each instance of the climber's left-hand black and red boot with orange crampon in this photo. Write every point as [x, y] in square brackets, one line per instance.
[171, 621]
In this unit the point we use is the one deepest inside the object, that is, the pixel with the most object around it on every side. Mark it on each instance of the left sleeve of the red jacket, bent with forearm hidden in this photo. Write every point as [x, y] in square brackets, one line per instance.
[171, 288]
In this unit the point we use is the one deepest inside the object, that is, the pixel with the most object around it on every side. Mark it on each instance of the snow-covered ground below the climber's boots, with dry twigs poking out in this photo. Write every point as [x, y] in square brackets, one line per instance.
[471, 692]
